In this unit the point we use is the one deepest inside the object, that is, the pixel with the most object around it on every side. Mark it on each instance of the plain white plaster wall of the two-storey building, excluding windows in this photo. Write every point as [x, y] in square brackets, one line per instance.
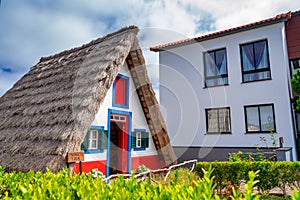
[184, 98]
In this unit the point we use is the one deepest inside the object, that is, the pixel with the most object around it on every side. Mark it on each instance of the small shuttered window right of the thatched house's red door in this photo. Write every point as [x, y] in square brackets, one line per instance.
[140, 140]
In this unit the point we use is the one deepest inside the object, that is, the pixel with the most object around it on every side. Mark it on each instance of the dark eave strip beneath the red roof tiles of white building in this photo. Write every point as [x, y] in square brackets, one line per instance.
[213, 36]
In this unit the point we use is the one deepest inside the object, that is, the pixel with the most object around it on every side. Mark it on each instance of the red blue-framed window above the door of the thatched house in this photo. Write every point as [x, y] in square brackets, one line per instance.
[121, 91]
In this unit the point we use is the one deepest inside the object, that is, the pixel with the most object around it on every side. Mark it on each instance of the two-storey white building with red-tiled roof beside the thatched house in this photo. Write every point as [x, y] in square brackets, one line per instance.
[227, 90]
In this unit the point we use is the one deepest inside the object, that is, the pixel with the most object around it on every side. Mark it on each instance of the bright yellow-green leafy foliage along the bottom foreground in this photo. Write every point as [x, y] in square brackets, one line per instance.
[64, 186]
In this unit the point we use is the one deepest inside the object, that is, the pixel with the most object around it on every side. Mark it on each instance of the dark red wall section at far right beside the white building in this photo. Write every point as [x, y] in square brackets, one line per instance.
[293, 37]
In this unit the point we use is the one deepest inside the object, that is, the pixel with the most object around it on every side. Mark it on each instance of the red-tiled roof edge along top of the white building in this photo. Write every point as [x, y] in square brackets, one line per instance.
[286, 15]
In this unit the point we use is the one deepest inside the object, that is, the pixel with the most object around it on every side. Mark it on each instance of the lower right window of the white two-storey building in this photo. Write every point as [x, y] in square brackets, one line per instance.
[260, 118]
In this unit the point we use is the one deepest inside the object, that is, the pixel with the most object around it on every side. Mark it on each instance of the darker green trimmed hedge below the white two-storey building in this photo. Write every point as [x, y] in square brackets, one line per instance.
[283, 175]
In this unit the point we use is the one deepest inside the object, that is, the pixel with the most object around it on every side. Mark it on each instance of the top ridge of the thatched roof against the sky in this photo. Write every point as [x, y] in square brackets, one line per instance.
[91, 43]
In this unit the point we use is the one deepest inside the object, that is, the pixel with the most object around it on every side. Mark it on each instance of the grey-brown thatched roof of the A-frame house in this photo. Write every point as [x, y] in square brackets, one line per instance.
[49, 110]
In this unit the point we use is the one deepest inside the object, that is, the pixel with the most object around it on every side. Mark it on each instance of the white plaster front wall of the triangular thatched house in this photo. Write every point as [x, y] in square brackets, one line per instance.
[138, 118]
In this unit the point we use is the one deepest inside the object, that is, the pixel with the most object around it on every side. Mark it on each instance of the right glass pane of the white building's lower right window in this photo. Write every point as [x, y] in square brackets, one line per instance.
[266, 118]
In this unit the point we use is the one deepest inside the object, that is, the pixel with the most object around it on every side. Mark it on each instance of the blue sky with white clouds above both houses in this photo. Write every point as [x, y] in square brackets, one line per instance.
[34, 28]
